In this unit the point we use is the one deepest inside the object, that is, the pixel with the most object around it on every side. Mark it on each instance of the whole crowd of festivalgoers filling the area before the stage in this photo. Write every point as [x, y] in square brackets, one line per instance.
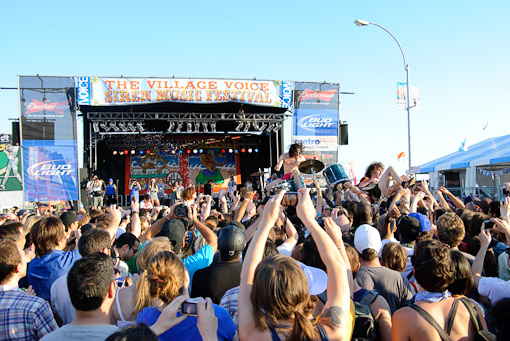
[379, 260]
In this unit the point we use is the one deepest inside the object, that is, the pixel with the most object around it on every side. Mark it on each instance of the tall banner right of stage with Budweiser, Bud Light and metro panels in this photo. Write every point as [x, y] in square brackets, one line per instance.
[315, 121]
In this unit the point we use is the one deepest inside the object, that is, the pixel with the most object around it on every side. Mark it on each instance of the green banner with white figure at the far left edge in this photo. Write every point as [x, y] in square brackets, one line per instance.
[10, 166]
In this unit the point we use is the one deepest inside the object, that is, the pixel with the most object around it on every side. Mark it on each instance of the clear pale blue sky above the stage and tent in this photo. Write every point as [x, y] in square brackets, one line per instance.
[458, 52]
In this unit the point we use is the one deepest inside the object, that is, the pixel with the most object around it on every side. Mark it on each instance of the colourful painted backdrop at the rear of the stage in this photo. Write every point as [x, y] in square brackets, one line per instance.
[192, 168]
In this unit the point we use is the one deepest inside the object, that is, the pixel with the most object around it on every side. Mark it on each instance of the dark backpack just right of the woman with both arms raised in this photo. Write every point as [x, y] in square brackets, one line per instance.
[365, 327]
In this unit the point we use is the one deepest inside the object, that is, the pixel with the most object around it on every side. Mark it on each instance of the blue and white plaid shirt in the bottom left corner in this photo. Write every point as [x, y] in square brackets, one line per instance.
[24, 317]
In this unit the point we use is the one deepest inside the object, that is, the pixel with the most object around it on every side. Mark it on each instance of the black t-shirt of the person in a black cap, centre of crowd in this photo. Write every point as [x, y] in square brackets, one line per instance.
[215, 280]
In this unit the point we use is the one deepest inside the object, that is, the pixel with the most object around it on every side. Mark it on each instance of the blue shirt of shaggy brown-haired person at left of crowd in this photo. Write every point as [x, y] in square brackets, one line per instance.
[43, 271]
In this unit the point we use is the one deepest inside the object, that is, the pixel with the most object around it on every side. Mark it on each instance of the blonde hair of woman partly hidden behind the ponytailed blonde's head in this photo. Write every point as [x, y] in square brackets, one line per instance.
[143, 297]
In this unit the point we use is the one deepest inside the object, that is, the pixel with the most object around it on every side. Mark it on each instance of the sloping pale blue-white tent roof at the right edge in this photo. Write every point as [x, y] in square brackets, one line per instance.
[494, 151]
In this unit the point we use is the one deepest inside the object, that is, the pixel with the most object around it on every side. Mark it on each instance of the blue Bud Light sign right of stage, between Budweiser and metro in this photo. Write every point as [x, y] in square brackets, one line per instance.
[312, 122]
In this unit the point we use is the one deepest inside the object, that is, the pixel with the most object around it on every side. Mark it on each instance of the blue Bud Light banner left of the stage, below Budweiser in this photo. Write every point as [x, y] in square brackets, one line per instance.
[50, 170]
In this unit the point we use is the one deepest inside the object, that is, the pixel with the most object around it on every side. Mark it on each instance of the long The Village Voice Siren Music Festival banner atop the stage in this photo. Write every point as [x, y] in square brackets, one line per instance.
[97, 91]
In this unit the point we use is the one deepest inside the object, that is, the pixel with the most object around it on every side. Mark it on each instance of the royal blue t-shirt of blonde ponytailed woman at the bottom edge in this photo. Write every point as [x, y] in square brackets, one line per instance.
[187, 329]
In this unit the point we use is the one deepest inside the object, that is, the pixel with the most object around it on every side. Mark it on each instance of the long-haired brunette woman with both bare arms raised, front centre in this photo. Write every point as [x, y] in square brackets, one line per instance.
[274, 299]
